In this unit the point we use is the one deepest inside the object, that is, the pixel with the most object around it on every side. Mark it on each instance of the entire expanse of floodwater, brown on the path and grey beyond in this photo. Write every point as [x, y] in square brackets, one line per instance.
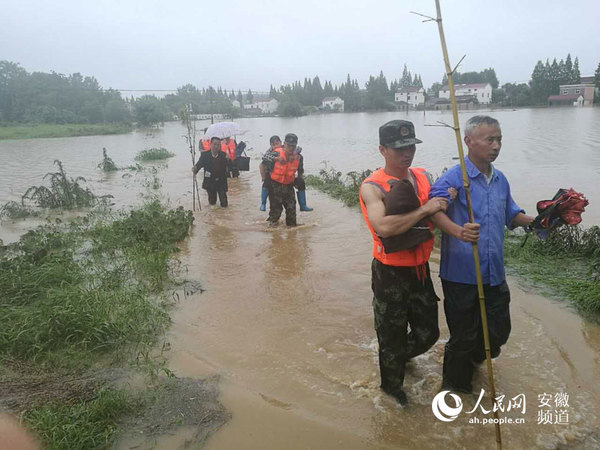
[285, 319]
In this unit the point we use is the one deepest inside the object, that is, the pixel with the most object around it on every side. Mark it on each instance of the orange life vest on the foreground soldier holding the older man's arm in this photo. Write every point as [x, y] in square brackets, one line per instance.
[416, 256]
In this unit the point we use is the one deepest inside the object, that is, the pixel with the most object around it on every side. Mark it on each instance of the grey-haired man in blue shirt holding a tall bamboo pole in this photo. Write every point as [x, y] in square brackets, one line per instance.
[493, 209]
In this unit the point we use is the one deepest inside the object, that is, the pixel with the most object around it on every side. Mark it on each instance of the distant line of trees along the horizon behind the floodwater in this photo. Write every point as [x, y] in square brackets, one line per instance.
[39, 97]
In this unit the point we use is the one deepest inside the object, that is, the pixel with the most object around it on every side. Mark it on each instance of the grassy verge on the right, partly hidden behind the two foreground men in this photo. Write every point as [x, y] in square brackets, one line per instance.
[566, 264]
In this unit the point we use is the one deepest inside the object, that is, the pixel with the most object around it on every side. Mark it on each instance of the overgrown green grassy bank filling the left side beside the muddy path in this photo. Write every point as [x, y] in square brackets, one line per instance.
[78, 300]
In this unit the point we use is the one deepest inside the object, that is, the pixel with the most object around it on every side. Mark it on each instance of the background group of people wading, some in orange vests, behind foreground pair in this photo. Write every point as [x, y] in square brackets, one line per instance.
[281, 170]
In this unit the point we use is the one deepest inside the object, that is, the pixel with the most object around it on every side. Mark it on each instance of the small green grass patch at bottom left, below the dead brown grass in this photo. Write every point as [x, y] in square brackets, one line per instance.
[86, 425]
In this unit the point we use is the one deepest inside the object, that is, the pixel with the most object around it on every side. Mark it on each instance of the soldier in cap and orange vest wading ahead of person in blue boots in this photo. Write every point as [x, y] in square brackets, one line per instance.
[282, 172]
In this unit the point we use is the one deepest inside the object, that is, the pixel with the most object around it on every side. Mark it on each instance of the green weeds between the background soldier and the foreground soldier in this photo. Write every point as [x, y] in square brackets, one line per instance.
[332, 182]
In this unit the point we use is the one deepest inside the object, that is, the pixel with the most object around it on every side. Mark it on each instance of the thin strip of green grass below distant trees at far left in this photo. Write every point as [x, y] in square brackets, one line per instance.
[32, 131]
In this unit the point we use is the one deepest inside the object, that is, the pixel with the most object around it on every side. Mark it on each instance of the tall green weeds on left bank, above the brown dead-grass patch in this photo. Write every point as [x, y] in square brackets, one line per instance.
[96, 288]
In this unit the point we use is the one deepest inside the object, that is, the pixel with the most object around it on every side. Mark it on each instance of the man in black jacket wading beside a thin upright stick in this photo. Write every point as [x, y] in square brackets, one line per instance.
[214, 163]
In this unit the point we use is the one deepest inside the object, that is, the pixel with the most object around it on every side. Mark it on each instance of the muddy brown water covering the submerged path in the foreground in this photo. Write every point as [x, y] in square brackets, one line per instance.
[286, 323]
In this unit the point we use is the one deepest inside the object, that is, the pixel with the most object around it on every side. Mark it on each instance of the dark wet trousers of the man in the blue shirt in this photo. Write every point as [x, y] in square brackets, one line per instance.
[465, 349]
